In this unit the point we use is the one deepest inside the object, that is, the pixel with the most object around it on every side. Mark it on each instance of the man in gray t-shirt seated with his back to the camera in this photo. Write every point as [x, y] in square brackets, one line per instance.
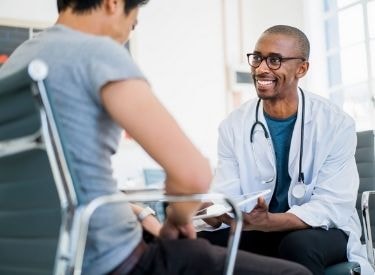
[97, 90]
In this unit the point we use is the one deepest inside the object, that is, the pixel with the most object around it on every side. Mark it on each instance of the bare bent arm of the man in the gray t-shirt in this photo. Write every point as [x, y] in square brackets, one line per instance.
[133, 106]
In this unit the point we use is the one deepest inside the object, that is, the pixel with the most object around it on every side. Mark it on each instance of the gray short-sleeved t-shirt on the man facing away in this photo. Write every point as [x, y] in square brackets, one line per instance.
[79, 66]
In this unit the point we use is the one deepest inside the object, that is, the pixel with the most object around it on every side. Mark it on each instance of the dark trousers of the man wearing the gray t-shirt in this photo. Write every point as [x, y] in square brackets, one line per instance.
[188, 257]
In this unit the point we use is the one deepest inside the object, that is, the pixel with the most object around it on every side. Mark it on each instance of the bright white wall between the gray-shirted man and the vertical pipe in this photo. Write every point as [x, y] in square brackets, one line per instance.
[180, 49]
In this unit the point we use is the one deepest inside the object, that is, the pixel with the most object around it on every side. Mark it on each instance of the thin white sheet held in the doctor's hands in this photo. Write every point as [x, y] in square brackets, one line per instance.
[219, 209]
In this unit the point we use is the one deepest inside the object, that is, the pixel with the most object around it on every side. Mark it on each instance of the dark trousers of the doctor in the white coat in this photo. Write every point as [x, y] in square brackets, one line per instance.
[314, 248]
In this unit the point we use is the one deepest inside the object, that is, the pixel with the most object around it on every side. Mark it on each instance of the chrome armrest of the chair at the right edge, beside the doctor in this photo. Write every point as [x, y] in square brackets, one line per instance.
[368, 205]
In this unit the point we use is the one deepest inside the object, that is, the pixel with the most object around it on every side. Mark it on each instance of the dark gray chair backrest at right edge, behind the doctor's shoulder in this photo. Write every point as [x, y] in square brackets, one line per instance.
[365, 159]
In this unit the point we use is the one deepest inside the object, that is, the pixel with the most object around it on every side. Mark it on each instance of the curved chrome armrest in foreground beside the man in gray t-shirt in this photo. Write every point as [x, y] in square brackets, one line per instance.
[89, 209]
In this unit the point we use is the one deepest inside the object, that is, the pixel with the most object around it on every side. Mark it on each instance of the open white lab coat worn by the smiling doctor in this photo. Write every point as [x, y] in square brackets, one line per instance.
[328, 164]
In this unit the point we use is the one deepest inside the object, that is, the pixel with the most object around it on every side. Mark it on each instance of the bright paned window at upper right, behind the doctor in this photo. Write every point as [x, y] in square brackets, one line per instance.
[350, 56]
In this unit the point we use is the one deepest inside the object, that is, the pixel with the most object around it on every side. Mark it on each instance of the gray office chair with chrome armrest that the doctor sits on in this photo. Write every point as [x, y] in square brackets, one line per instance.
[364, 156]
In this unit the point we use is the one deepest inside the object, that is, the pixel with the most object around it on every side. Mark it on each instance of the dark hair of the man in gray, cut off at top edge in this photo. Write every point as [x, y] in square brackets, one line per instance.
[84, 6]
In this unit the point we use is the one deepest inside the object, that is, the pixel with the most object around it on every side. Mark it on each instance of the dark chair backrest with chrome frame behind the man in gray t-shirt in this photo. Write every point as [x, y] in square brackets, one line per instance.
[37, 200]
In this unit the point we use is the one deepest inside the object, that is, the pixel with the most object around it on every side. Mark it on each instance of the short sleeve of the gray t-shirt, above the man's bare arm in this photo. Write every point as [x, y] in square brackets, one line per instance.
[108, 61]
